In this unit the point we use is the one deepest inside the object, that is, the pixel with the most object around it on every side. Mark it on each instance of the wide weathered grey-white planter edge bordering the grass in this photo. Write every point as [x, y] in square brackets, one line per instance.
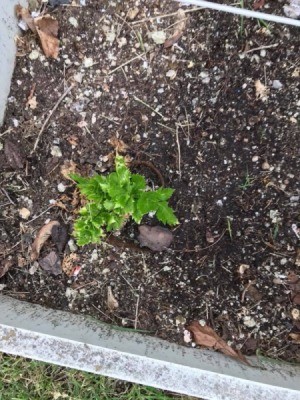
[83, 343]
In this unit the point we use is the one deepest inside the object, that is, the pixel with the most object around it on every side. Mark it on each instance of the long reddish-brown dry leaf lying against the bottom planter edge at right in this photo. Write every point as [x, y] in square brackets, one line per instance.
[206, 336]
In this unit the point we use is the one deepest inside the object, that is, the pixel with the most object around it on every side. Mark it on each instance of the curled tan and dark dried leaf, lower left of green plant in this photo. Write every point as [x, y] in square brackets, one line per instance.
[53, 229]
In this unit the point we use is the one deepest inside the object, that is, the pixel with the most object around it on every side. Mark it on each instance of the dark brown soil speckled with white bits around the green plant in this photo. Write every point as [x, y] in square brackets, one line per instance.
[236, 178]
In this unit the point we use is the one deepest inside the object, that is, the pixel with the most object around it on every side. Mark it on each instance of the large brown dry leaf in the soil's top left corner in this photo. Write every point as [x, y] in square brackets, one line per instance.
[47, 29]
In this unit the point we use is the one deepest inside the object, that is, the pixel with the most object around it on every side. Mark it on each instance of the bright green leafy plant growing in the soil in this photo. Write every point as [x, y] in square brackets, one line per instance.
[113, 199]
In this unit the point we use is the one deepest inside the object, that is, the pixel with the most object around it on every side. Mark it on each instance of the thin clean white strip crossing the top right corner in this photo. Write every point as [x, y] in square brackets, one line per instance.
[242, 11]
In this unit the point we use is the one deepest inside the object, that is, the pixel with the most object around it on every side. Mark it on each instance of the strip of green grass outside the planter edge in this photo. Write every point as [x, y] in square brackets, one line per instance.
[23, 379]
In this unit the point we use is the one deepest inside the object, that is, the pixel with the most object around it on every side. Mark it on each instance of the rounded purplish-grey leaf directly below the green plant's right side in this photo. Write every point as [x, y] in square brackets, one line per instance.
[155, 237]
